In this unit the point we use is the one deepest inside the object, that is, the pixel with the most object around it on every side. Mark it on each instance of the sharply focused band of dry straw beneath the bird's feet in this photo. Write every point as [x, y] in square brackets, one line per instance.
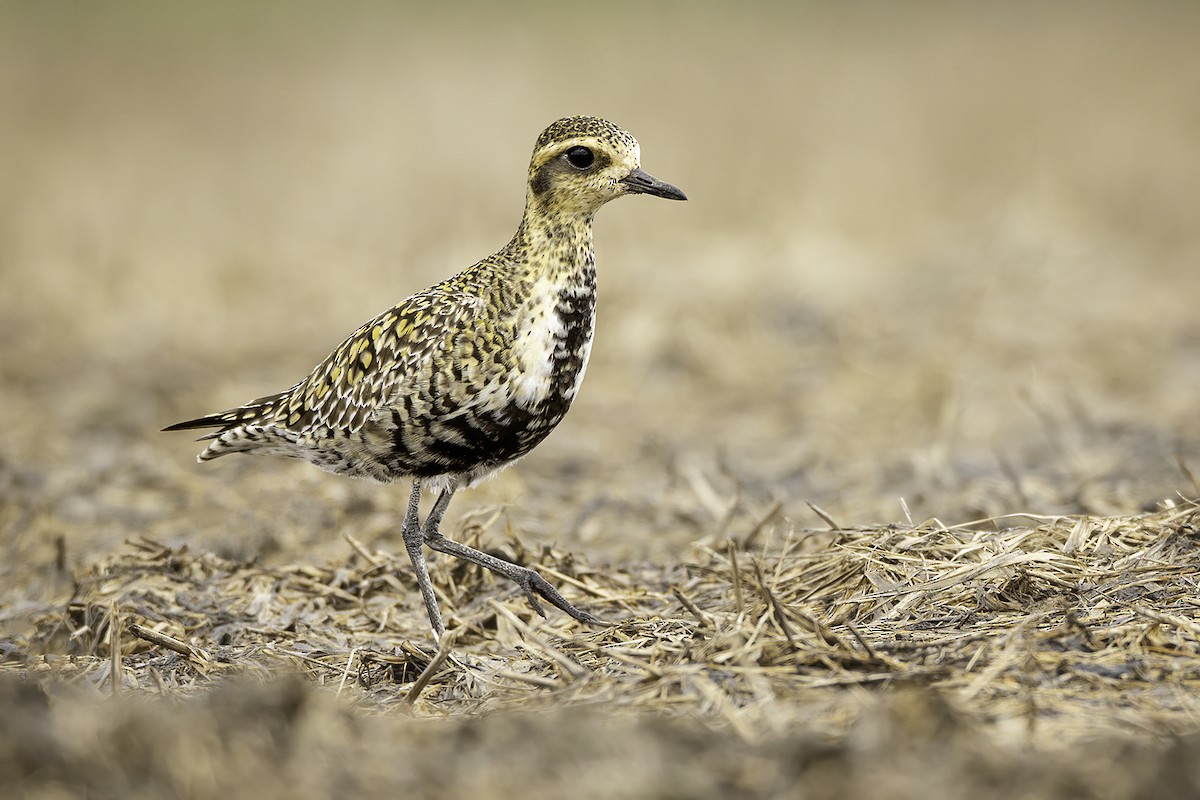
[1065, 627]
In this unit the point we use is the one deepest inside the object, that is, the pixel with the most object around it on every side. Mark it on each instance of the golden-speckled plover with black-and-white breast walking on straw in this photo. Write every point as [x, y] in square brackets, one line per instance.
[467, 377]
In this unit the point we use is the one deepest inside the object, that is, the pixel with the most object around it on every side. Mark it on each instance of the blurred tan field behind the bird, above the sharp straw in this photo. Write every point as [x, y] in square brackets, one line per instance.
[941, 254]
